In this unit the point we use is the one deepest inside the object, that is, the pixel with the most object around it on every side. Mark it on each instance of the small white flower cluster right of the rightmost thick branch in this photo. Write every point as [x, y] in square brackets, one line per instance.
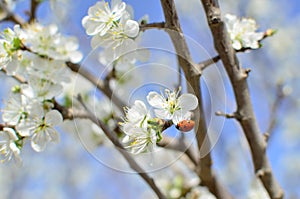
[243, 32]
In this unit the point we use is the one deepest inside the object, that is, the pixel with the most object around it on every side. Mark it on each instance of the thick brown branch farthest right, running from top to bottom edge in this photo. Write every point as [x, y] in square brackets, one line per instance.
[238, 78]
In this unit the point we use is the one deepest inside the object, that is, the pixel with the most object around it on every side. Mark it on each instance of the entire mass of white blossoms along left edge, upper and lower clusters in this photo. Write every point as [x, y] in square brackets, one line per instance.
[37, 55]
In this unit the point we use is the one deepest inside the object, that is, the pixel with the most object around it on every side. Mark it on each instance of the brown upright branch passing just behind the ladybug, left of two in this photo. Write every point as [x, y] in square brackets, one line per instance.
[172, 27]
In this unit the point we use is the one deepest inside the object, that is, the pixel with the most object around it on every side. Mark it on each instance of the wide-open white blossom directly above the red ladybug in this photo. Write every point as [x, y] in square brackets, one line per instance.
[171, 106]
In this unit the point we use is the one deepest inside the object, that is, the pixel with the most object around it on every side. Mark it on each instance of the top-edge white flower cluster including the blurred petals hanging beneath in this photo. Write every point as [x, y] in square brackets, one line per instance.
[113, 28]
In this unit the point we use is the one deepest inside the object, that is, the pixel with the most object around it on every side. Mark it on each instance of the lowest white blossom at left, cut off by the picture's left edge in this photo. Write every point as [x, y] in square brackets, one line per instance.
[8, 146]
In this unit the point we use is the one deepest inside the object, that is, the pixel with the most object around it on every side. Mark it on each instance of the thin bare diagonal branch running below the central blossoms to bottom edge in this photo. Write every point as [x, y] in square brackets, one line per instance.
[114, 139]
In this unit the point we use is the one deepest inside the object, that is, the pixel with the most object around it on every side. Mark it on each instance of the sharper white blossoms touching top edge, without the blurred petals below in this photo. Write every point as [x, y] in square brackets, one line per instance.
[111, 29]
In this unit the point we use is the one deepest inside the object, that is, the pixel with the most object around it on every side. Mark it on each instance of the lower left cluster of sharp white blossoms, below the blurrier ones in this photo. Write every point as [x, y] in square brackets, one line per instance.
[29, 119]
